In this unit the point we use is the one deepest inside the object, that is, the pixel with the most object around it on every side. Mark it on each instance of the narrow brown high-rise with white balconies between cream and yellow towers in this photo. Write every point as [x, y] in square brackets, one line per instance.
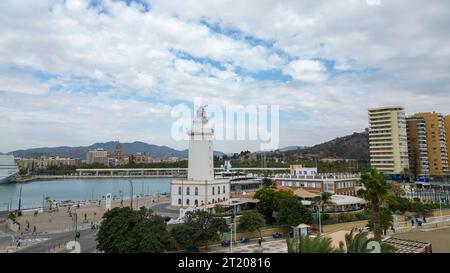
[417, 147]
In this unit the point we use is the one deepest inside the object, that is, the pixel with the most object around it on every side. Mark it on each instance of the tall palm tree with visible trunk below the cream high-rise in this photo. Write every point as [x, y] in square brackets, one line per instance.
[377, 192]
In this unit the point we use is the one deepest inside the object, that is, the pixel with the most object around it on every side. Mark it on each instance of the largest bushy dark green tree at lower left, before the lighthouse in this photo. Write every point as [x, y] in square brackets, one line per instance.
[124, 230]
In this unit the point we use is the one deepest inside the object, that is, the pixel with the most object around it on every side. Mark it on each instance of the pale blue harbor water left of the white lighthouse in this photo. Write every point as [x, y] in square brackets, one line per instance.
[34, 193]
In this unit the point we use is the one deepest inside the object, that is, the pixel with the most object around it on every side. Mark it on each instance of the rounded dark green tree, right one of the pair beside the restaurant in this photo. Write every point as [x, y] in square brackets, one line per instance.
[291, 212]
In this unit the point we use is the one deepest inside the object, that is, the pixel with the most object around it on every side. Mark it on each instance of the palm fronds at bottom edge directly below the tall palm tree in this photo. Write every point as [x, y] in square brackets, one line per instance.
[358, 243]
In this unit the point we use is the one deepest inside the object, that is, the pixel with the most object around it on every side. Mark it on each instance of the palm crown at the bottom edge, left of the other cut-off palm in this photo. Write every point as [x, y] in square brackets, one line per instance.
[311, 245]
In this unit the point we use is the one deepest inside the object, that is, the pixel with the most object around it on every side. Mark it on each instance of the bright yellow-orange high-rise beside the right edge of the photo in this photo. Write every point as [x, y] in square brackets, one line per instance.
[436, 142]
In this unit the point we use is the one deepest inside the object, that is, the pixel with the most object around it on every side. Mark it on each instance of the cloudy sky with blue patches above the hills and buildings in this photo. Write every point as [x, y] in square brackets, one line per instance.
[78, 72]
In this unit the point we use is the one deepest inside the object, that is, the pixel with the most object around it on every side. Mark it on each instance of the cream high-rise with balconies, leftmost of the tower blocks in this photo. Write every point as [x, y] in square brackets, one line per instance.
[388, 141]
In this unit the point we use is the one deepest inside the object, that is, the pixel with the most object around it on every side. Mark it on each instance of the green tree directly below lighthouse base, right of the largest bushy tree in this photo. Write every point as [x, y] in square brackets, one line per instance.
[205, 226]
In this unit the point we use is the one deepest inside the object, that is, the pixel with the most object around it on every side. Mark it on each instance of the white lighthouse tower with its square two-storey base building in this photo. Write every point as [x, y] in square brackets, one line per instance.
[200, 187]
